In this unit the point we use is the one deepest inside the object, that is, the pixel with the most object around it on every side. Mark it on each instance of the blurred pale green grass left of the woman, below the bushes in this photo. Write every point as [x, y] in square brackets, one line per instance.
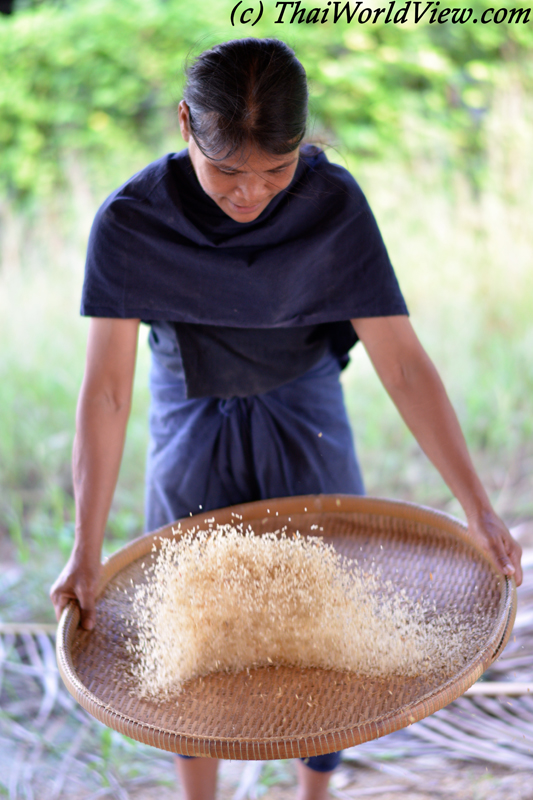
[41, 367]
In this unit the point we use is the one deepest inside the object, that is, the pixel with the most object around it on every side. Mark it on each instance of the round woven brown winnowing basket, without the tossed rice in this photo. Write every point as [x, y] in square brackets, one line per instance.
[283, 712]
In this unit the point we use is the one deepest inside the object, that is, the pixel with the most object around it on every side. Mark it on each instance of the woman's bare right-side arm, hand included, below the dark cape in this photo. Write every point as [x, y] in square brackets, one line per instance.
[416, 389]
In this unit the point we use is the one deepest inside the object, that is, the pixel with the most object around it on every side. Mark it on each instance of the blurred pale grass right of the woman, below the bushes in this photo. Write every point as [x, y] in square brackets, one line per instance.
[464, 264]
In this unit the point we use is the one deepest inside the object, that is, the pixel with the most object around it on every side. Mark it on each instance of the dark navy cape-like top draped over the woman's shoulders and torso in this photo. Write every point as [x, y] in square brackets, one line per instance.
[240, 308]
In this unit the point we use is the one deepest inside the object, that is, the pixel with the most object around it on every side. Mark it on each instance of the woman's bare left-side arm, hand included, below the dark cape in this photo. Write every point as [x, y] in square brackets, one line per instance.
[101, 419]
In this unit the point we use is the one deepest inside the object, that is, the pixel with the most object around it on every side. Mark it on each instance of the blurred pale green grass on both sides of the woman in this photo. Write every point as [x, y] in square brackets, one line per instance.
[464, 266]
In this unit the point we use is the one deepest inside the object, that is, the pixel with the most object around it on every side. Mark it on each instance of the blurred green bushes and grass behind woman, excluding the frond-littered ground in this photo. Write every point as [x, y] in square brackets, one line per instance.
[434, 121]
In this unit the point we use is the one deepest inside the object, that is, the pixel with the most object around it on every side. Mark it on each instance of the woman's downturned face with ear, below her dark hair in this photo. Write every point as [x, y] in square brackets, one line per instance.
[242, 189]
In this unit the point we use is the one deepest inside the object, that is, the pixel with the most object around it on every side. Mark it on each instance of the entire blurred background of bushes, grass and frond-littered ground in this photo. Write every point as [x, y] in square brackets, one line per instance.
[436, 123]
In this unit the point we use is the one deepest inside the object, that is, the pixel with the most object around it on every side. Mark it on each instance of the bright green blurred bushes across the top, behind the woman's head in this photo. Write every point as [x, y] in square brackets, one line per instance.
[102, 79]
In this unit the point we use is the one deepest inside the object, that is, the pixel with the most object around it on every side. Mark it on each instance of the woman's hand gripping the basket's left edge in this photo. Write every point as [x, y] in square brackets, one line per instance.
[78, 581]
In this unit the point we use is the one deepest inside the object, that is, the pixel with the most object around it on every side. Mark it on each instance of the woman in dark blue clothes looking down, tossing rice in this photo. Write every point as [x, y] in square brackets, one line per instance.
[258, 264]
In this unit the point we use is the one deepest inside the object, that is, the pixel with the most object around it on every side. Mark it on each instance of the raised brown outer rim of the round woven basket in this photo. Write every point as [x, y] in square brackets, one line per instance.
[325, 741]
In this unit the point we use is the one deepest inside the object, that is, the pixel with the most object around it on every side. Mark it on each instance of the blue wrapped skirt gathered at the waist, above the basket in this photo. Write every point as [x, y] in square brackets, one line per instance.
[209, 452]
